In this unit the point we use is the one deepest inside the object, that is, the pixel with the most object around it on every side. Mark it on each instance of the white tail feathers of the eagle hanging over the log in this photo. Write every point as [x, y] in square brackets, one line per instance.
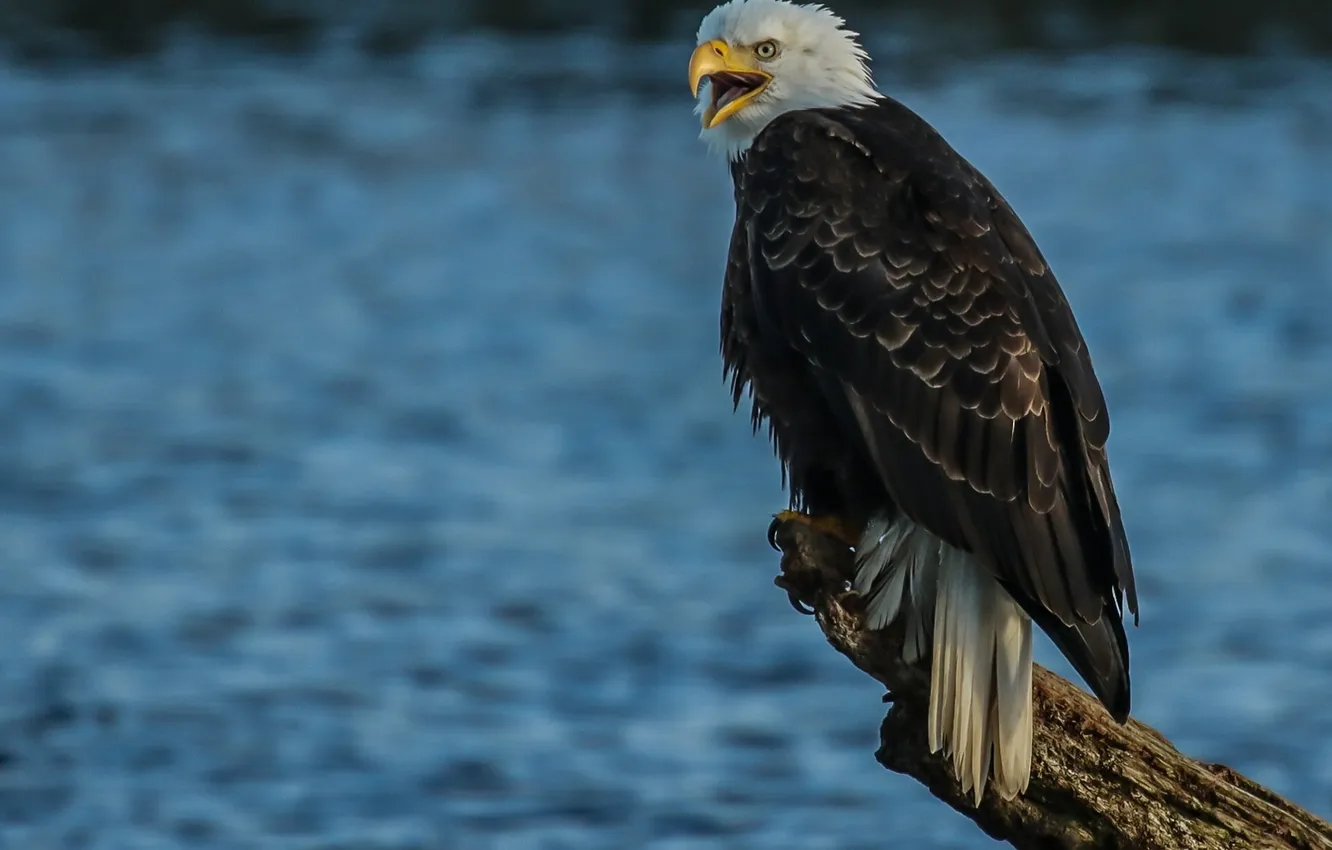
[981, 663]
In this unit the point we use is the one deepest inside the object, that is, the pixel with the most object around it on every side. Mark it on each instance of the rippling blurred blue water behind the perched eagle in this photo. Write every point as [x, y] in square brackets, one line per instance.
[367, 478]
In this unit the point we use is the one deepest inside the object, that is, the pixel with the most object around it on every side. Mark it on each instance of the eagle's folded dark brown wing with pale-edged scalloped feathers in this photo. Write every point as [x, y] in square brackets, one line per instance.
[906, 283]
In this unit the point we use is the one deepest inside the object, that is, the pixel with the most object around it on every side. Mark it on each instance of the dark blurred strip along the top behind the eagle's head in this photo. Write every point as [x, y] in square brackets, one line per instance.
[121, 27]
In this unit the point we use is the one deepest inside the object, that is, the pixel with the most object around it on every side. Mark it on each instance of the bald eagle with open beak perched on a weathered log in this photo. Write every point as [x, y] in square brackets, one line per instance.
[925, 383]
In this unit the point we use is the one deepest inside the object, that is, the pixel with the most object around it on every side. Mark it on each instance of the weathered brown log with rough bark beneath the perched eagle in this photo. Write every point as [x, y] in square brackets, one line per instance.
[1094, 784]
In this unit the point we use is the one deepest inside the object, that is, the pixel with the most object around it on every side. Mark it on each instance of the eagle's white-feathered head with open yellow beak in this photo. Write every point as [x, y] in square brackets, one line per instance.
[757, 59]
